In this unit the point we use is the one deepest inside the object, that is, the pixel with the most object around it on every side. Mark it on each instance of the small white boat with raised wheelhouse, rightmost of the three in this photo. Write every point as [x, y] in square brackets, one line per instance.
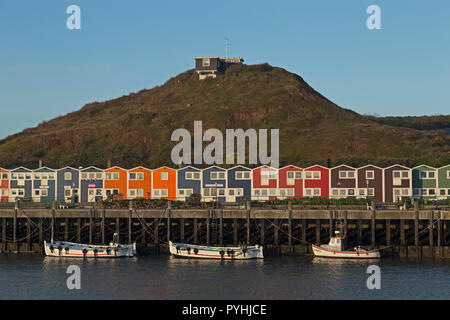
[335, 249]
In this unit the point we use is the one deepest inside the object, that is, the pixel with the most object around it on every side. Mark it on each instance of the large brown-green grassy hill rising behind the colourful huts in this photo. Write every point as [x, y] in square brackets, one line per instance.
[135, 129]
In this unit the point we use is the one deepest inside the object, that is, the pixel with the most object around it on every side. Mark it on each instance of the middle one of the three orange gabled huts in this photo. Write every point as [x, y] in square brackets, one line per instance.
[139, 183]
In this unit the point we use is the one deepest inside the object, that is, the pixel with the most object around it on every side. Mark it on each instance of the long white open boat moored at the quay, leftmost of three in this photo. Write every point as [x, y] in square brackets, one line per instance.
[78, 250]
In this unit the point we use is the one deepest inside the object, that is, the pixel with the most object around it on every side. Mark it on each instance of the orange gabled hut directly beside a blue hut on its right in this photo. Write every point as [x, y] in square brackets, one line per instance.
[164, 183]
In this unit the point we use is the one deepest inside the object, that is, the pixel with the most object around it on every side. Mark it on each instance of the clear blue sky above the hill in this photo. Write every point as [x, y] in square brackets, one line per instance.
[47, 70]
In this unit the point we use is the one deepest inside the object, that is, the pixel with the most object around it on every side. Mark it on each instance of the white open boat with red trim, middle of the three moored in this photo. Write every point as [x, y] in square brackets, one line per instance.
[206, 252]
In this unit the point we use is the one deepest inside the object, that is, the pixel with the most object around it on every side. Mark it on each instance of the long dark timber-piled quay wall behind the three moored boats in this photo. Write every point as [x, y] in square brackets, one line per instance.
[403, 233]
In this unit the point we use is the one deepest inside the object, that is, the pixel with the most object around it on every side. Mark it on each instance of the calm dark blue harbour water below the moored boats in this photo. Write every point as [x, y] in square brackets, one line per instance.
[163, 277]
